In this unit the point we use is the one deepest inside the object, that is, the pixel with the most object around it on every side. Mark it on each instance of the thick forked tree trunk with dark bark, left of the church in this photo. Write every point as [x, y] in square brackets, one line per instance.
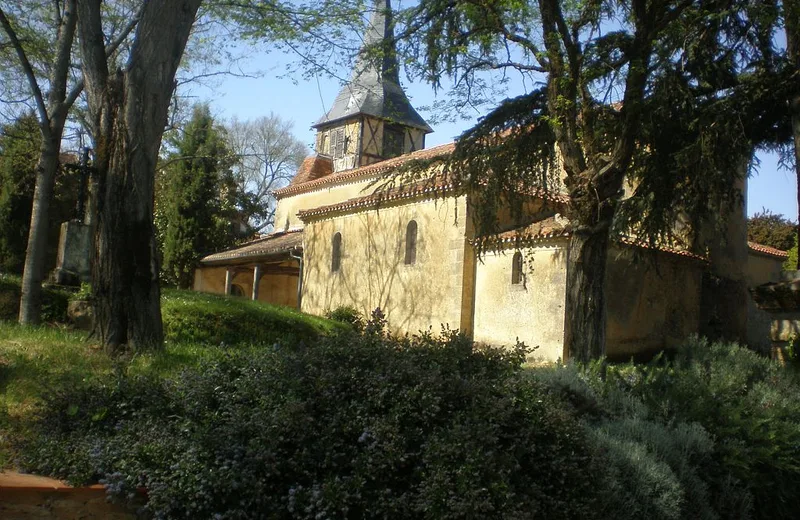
[128, 112]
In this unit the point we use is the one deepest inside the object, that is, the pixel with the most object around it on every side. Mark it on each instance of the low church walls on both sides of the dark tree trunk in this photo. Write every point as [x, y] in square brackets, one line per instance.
[650, 305]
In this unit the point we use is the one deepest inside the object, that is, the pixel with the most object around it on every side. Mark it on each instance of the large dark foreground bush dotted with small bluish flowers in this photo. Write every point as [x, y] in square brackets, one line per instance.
[351, 426]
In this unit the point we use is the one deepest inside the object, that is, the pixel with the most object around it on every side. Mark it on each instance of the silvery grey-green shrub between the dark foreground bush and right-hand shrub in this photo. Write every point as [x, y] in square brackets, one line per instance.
[650, 469]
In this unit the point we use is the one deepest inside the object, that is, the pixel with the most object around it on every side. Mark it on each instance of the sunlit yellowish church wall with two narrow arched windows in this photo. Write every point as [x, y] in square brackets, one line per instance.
[373, 273]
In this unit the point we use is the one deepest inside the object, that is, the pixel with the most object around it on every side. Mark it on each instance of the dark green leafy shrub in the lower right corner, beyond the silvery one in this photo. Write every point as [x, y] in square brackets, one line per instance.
[748, 404]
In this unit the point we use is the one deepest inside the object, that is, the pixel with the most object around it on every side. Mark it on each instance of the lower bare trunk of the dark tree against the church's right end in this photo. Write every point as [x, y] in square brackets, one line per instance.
[585, 320]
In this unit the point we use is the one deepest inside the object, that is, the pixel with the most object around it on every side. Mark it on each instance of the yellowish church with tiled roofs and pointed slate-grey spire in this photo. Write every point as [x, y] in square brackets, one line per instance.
[340, 239]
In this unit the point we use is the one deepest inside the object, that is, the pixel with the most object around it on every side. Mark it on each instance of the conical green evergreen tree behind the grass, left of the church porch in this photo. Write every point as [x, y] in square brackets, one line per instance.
[195, 207]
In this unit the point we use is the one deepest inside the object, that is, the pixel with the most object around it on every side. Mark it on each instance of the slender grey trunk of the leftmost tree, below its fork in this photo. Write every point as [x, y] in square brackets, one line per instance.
[30, 305]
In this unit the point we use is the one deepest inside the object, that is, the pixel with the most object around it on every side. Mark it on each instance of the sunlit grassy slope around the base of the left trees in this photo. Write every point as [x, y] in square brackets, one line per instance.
[33, 361]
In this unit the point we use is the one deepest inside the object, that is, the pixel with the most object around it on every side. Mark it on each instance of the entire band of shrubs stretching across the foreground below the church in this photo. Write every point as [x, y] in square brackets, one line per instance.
[363, 425]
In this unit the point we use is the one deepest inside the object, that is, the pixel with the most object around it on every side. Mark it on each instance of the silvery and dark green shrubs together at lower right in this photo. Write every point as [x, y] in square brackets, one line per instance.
[712, 433]
